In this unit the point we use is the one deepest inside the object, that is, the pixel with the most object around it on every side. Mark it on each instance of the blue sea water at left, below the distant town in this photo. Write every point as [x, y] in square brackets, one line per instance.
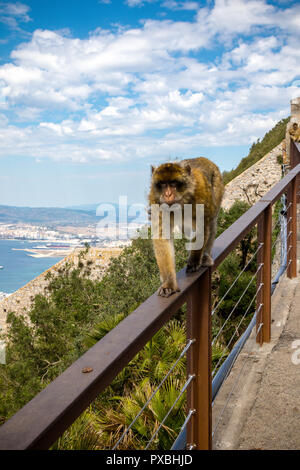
[18, 266]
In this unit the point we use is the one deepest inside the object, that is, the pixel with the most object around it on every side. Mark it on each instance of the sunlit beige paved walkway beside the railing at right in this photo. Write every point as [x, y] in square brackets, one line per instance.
[263, 411]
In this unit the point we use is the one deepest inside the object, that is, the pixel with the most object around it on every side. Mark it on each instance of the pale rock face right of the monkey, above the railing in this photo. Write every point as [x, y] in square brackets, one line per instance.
[257, 180]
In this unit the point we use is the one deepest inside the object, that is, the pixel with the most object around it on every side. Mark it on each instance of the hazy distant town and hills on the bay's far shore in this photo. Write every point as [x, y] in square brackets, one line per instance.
[60, 230]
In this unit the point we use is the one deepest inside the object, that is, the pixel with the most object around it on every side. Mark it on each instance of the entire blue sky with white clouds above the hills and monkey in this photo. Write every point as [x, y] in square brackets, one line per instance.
[92, 92]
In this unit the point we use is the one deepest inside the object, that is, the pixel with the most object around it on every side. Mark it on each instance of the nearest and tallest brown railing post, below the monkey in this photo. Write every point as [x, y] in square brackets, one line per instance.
[199, 357]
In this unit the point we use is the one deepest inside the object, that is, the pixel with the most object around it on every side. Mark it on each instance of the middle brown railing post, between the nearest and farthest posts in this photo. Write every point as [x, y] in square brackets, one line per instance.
[263, 299]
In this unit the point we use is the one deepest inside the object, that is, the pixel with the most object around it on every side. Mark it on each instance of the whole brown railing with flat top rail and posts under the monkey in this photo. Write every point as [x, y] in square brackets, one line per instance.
[41, 422]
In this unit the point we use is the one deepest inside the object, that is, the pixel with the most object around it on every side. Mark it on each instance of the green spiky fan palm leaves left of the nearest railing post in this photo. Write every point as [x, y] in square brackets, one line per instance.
[114, 422]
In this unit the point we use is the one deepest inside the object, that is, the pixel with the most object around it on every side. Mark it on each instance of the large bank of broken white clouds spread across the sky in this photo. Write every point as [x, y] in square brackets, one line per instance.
[146, 91]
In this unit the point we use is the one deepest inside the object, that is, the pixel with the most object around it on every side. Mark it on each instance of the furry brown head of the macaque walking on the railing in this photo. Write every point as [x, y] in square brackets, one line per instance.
[170, 183]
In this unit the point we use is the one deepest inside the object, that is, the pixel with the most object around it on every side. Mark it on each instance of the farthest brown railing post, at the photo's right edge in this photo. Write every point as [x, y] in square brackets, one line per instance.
[292, 229]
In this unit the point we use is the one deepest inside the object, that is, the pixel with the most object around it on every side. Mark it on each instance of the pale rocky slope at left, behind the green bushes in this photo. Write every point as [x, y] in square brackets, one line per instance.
[96, 261]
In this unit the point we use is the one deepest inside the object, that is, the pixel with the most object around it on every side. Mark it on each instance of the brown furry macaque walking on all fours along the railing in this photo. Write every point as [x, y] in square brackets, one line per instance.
[195, 181]
